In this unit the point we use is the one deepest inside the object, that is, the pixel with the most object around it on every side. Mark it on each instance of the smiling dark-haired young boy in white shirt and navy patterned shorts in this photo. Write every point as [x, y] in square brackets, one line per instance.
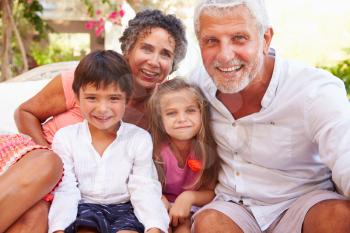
[108, 184]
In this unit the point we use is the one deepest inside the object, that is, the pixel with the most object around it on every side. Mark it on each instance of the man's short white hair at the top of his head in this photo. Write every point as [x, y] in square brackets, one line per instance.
[256, 8]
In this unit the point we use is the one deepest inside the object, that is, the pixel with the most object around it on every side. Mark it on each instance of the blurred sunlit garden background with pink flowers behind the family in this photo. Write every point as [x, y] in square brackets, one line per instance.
[38, 32]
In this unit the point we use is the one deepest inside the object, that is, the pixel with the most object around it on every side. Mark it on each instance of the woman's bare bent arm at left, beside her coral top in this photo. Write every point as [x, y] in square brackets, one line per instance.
[48, 102]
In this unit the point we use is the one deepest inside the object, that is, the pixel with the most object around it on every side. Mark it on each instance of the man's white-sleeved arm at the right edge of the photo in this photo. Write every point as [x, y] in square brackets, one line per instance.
[327, 120]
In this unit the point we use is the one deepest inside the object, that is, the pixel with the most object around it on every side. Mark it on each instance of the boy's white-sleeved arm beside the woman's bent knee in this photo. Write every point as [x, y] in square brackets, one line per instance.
[64, 207]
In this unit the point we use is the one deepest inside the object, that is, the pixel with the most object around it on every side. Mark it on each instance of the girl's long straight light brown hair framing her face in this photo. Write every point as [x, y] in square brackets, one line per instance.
[204, 145]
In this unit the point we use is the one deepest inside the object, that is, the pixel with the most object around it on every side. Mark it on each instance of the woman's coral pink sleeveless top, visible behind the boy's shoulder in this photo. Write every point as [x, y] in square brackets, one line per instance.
[71, 116]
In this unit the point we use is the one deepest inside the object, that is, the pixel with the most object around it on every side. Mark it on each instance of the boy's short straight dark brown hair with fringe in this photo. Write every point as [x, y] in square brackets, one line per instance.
[101, 68]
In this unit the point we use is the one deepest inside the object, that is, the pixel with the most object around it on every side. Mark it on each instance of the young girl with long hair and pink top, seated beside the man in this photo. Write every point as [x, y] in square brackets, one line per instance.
[184, 149]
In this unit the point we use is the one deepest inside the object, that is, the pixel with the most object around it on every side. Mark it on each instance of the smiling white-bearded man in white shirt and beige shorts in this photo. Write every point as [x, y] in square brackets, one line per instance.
[283, 129]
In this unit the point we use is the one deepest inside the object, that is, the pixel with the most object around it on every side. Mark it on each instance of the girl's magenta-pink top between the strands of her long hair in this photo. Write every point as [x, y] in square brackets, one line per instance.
[177, 179]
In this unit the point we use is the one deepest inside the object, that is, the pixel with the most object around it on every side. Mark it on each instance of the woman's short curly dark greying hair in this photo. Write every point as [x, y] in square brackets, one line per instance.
[144, 21]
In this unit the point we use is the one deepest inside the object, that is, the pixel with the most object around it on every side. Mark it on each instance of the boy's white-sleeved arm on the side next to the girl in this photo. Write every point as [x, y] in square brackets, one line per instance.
[145, 190]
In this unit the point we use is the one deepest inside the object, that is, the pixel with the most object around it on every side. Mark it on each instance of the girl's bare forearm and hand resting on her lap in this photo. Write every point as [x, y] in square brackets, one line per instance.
[181, 208]
